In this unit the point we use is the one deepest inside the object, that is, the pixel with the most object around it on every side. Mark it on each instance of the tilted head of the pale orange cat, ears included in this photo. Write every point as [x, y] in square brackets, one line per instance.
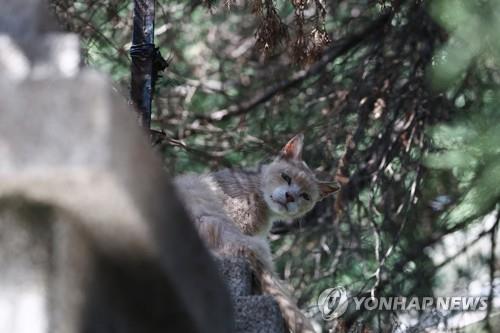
[289, 187]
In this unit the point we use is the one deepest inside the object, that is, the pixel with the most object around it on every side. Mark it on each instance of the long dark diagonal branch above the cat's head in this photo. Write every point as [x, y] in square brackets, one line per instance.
[331, 54]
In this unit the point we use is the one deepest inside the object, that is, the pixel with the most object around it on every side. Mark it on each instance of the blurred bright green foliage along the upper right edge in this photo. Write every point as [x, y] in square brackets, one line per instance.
[468, 147]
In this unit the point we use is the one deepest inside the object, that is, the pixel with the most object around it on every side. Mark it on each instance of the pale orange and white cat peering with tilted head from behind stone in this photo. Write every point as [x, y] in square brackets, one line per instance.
[233, 211]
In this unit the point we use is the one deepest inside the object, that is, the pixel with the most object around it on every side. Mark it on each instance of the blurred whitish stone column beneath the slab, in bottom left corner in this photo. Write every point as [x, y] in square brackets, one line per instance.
[25, 248]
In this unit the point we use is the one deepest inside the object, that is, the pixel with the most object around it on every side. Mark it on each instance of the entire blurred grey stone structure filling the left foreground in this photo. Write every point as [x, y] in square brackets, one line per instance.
[92, 238]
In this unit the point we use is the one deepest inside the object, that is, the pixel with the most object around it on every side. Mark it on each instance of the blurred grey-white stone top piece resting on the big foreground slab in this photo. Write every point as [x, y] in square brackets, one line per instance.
[31, 45]
